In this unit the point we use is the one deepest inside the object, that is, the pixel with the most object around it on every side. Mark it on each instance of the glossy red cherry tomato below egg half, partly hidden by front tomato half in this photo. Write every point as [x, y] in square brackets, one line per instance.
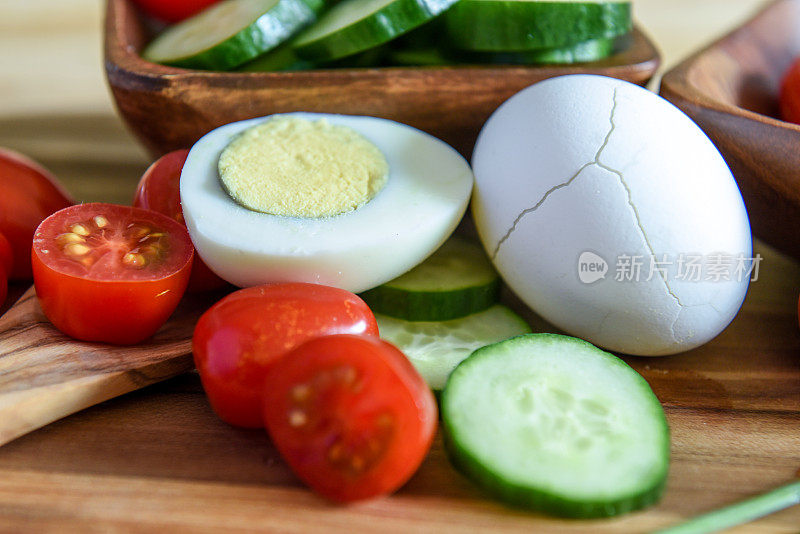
[242, 335]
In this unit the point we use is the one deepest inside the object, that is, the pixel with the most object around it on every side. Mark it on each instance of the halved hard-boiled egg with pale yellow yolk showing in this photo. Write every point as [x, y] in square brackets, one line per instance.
[344, 201]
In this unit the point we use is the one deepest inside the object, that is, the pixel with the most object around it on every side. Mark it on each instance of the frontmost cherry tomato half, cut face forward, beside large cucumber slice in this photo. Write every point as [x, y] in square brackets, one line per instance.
[350, 415]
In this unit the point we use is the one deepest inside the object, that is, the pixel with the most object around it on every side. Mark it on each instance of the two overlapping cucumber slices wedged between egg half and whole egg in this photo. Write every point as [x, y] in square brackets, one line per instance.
[443, 309]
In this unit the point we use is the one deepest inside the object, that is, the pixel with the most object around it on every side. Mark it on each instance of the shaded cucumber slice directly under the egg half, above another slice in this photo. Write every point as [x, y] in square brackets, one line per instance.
[456, 280]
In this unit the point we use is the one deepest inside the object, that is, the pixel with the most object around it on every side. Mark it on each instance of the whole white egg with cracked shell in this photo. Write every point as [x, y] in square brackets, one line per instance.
[611, 214]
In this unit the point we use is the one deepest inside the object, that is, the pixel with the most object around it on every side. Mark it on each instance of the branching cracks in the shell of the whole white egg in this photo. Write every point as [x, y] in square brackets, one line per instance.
[597, 161]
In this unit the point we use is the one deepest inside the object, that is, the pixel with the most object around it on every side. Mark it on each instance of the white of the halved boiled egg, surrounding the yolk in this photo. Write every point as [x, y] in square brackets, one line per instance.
[426, 194]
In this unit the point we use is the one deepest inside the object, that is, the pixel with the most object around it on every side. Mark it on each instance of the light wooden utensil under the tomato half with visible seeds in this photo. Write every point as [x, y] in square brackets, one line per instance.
[45, 375]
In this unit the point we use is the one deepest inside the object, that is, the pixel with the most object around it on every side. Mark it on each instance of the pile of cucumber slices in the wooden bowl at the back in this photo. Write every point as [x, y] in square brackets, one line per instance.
[270, 35]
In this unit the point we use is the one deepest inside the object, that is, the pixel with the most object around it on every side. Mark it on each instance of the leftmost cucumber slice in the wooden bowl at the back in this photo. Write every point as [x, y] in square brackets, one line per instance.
[231, 33]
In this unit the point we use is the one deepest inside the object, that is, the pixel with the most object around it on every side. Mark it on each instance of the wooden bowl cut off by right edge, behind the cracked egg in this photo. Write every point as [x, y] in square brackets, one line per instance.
[731, 90]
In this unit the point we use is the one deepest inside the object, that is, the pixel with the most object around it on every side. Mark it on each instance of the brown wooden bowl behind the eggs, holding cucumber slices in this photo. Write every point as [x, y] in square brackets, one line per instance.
[170, 108]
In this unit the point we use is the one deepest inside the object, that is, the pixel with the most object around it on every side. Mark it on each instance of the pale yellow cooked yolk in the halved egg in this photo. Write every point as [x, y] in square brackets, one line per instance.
[294, 167]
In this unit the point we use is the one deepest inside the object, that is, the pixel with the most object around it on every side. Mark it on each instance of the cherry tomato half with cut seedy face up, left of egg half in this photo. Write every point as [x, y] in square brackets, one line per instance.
[110, 273]
